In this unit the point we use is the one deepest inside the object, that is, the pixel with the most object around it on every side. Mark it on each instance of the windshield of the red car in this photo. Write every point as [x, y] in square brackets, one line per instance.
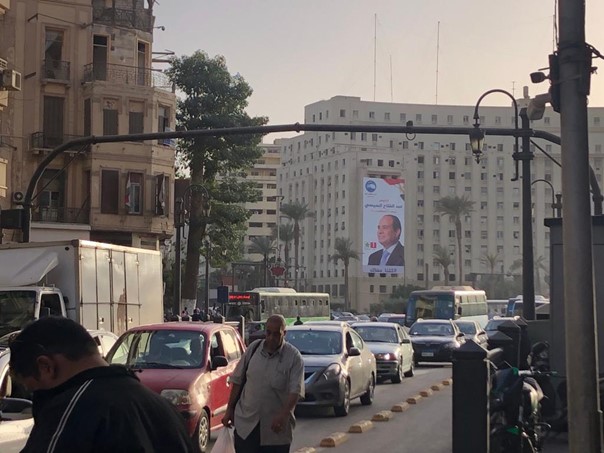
[159, 349]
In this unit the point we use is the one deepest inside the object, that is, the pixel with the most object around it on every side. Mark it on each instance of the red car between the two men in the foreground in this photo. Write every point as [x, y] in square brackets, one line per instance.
[187, 363]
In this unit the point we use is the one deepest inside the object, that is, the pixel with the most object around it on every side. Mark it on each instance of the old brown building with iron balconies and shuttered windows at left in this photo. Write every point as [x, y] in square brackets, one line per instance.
[87, 70]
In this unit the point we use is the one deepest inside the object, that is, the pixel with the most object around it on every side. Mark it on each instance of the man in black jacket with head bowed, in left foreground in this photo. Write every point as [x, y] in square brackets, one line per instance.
[82, 404]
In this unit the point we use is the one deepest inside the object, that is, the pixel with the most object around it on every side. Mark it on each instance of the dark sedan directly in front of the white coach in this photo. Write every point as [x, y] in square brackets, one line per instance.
[434, 340]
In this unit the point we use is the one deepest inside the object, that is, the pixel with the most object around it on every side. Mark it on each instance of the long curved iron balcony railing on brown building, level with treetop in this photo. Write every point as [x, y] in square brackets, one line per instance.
[127, 75]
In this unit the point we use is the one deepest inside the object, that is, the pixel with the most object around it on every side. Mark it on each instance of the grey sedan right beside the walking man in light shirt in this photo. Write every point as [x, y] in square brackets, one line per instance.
[338, 366]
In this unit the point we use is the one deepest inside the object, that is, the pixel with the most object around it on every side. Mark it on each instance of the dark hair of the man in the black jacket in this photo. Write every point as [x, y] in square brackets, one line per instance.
[48, 336]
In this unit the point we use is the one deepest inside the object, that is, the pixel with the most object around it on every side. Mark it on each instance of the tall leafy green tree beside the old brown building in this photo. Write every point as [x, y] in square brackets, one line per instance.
[213, 98]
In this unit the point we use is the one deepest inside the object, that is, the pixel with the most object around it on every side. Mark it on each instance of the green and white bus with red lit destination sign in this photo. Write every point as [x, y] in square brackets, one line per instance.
[260, 303]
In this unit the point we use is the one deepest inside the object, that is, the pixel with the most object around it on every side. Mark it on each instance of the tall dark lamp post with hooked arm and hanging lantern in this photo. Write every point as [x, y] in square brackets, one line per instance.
[476, 142]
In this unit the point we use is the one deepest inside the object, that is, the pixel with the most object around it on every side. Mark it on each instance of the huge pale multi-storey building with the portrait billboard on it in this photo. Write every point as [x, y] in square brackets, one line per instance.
[326, 171]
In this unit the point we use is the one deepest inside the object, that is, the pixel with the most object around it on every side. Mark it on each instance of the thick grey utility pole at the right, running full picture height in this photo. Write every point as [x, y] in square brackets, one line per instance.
[584, 418]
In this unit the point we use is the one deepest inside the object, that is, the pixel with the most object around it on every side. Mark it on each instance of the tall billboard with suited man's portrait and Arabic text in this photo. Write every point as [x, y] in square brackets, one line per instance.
[383, 225]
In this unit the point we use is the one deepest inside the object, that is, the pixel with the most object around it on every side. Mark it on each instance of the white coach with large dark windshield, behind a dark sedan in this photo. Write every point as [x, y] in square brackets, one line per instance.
[447, 302]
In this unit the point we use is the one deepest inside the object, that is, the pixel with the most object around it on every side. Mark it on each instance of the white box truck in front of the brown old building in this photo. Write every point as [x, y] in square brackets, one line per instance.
[101, 286]
